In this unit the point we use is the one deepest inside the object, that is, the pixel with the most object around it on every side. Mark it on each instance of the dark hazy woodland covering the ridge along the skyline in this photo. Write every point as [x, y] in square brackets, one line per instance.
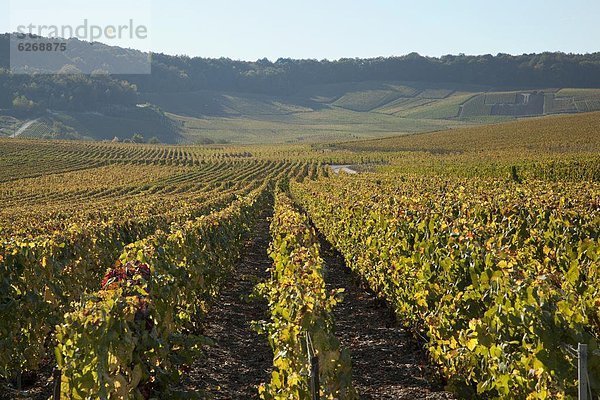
[285, 76]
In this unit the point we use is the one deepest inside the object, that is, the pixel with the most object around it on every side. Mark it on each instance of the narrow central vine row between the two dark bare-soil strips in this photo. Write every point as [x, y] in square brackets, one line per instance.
[301, 324]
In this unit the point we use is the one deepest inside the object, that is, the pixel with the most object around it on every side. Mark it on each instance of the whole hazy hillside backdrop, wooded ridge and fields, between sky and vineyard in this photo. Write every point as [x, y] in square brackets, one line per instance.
[196, 100]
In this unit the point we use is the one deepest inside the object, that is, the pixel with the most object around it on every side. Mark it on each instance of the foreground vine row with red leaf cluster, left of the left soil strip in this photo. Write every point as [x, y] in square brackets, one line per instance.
[125, 341]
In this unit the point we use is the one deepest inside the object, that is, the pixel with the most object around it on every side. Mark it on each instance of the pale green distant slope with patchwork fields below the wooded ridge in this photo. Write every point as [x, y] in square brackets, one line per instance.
[346, 111]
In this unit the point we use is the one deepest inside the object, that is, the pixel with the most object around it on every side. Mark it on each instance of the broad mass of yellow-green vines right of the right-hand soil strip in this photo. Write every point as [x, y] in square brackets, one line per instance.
[501, 277]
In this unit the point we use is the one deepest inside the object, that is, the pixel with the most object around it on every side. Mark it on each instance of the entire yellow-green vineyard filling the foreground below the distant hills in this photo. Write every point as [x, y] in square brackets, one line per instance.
[457, 264]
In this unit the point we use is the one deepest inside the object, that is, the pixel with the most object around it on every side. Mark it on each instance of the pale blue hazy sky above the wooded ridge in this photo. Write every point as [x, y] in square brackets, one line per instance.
[333, 29]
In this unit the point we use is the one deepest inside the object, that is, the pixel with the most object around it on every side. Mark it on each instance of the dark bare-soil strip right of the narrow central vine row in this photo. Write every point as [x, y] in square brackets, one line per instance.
[387, 363]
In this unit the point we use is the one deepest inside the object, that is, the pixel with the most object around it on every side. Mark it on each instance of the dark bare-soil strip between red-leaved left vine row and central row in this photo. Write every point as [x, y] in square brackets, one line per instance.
[241, 359]
